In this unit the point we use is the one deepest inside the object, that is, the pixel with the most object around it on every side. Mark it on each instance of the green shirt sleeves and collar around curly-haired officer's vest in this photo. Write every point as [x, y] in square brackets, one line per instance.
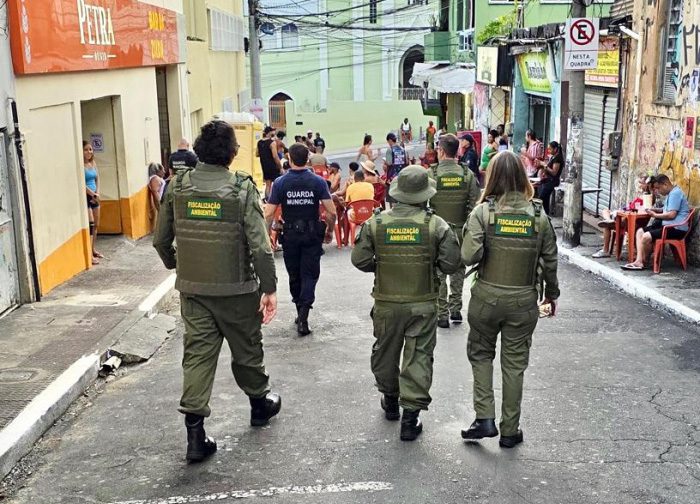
[254, 227]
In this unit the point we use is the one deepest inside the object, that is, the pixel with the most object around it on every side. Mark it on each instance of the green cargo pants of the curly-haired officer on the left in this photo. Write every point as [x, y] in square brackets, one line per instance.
[208, 320]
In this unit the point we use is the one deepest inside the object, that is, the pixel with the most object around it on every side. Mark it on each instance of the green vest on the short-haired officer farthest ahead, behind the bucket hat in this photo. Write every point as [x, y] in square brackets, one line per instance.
[451, 202]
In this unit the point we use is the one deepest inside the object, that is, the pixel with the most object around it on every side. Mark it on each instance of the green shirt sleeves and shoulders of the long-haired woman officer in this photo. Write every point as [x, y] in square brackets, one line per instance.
[475, 229]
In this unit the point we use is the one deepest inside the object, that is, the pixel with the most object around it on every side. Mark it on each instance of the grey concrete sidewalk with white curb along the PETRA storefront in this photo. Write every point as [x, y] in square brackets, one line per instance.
[51, 351]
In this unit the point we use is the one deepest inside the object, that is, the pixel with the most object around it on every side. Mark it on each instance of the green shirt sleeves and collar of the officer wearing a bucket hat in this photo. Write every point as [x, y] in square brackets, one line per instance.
[444, 241]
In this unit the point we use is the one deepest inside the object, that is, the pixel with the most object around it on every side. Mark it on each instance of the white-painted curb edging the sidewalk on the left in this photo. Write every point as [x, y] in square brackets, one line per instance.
[19, 436]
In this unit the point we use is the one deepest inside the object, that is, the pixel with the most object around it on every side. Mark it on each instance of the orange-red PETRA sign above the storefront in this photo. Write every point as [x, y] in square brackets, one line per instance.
[78, 35]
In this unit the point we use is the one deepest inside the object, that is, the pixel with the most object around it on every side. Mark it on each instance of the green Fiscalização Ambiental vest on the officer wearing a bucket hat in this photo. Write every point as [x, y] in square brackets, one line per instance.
[405, 258]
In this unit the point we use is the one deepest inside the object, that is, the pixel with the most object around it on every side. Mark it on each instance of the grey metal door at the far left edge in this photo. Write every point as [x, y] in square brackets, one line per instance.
[9, 280]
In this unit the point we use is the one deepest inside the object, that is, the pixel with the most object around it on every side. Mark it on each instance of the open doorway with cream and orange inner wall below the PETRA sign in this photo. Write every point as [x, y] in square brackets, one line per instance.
[101, 119]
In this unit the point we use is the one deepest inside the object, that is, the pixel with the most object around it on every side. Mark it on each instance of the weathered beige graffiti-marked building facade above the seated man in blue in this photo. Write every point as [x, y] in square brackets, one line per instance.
[661, 98]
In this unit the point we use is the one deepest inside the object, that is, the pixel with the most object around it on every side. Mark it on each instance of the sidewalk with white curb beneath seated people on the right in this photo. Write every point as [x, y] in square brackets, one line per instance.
[672, 290]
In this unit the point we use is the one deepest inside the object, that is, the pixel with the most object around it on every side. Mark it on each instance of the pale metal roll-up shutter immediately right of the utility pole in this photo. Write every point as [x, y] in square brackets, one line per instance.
[592, 145]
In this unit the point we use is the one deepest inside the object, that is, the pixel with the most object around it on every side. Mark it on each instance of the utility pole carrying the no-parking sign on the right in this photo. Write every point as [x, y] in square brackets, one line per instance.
[573, 198]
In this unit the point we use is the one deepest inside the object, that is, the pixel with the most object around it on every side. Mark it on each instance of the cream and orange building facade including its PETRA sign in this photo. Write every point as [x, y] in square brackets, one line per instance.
[120, 84]
